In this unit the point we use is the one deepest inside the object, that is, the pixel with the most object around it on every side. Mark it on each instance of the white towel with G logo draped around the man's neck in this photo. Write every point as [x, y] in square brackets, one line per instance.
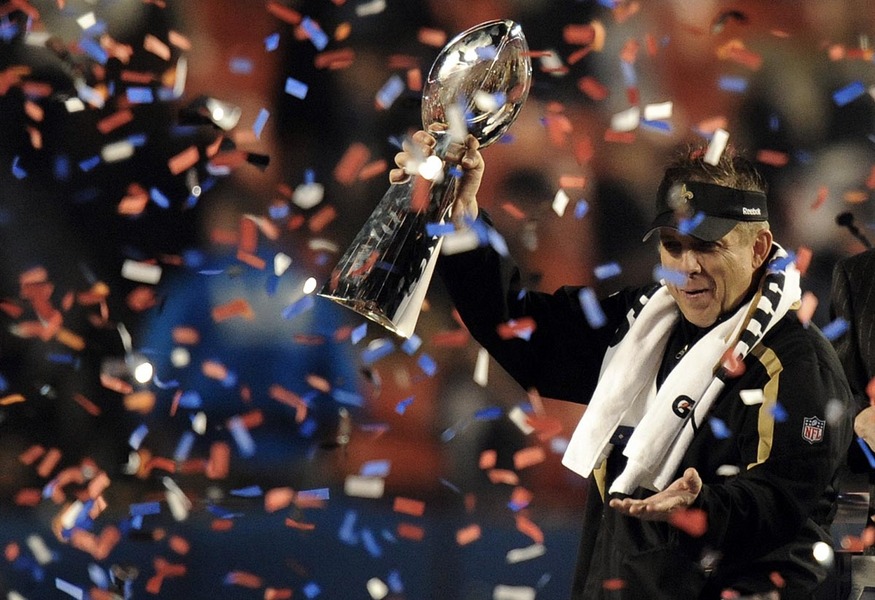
[629, 371]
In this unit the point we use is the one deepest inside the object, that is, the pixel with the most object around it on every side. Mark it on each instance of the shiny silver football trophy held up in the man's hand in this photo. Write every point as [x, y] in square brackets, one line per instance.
[477, 85]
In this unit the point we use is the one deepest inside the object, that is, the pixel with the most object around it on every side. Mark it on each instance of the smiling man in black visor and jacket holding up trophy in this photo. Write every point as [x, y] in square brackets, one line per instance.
[716, 421]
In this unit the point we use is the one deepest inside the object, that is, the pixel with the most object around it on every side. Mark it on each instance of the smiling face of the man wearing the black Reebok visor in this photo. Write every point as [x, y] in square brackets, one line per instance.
[718, 274]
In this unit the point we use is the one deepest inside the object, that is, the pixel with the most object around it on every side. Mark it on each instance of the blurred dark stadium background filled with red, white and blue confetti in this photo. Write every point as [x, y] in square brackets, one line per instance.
[182, 417]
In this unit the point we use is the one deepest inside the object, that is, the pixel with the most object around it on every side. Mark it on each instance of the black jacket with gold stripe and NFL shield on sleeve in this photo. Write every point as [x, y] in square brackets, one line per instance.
[762, 522]
